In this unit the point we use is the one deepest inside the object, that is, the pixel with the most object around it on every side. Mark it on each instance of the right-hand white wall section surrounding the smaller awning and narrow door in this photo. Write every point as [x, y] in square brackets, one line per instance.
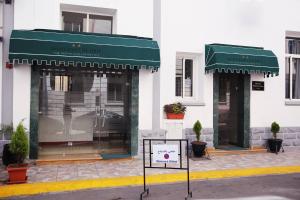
[187, 26]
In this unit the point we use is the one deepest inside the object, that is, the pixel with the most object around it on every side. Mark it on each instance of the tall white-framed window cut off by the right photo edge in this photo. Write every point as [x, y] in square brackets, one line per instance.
[292, 68]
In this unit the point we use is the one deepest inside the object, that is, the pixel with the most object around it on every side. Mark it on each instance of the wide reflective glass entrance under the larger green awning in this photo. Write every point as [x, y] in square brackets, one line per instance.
[83, 114]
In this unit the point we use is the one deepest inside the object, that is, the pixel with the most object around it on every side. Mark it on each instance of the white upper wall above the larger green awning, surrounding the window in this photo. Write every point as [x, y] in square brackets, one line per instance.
[134, 17]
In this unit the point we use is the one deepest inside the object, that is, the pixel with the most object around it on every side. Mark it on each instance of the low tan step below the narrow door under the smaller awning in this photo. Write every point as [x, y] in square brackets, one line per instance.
[220, 152]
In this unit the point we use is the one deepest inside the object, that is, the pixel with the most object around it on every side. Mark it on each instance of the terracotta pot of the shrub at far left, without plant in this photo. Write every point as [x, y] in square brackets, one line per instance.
[17, 173]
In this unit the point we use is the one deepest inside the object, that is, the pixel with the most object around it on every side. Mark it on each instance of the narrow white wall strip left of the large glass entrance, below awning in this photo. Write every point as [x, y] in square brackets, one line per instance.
[21, 95]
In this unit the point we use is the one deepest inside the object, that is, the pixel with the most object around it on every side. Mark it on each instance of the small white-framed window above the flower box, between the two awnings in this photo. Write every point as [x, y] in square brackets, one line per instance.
[184, 80]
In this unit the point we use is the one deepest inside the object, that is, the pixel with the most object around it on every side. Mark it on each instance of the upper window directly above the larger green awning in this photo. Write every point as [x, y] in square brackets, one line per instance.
[85, 22]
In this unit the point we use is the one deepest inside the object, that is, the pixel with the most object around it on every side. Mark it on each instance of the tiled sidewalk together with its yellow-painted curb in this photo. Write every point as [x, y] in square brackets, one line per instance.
[129, 172]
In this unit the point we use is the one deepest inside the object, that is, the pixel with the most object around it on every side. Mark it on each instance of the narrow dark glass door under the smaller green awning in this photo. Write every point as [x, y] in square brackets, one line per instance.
[231, 102]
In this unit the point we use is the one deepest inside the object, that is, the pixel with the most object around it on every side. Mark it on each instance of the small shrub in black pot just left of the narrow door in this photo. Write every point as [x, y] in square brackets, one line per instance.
[198, 146]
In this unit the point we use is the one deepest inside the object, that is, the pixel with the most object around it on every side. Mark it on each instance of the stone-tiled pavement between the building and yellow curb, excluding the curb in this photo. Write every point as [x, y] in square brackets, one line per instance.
[133, 167]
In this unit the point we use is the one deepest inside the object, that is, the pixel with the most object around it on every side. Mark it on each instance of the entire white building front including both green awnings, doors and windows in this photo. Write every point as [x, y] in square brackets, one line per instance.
[109, 110]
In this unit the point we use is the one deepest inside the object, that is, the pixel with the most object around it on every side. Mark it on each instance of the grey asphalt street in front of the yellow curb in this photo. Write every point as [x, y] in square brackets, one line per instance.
[272, 187]
